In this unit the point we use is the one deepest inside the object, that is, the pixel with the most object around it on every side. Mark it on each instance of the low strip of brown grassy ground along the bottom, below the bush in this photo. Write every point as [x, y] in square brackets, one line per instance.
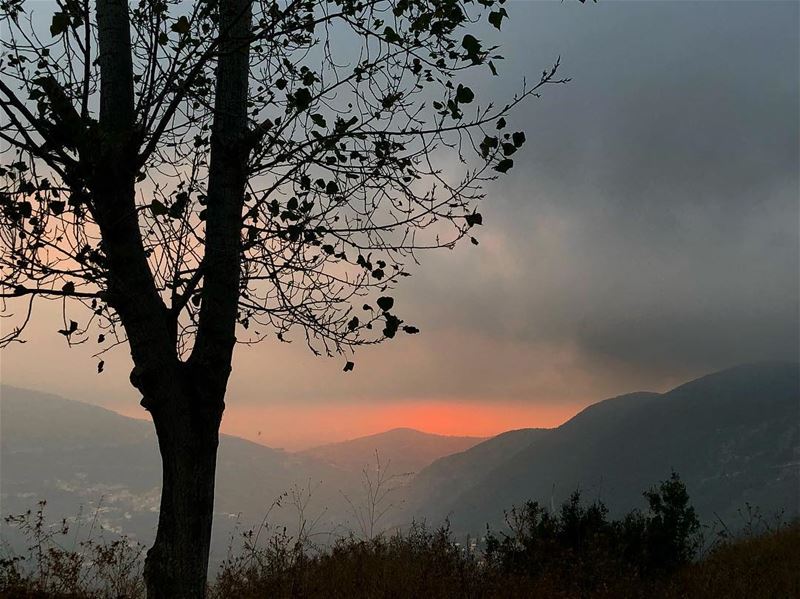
[761, 567]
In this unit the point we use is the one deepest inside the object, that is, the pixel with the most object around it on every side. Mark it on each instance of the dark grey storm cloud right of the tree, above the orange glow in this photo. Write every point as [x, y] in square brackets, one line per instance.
[653, 219]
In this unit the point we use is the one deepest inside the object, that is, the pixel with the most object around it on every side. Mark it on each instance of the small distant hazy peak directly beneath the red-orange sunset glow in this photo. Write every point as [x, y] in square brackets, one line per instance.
[400, 450]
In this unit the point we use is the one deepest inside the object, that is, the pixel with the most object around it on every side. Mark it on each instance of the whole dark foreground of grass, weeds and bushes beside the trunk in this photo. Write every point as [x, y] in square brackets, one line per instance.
[573, 552]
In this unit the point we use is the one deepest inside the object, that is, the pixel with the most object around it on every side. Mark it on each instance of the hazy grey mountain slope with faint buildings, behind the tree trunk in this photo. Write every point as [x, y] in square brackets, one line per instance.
[84, 459]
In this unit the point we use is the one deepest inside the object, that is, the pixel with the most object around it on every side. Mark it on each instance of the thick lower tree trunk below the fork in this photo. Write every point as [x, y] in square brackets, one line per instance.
[187, 424]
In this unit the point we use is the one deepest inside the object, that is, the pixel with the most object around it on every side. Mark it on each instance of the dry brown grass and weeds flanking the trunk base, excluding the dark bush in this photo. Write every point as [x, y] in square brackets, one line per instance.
[426, 564]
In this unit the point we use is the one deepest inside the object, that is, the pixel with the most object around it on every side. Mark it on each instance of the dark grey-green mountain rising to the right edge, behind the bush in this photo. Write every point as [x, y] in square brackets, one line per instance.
[733, 436]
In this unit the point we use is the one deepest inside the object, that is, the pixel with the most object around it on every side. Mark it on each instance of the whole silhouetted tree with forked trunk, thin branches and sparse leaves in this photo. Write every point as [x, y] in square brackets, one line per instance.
[186, 176]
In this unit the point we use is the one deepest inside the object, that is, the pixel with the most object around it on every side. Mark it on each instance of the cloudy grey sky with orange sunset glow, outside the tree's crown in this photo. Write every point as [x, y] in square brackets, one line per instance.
[648, 234]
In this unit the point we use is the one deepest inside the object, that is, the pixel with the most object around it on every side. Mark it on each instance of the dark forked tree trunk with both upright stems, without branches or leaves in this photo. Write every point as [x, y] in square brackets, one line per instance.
[185, 400]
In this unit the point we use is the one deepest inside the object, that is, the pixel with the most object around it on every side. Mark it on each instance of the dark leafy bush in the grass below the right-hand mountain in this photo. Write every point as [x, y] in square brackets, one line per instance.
[579, 544]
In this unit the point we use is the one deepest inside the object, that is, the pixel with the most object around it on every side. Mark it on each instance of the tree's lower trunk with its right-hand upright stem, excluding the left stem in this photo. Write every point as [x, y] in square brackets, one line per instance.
[187, 419]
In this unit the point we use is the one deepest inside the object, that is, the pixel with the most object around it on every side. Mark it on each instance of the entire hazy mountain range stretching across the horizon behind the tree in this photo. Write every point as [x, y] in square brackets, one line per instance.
[733, 436]
